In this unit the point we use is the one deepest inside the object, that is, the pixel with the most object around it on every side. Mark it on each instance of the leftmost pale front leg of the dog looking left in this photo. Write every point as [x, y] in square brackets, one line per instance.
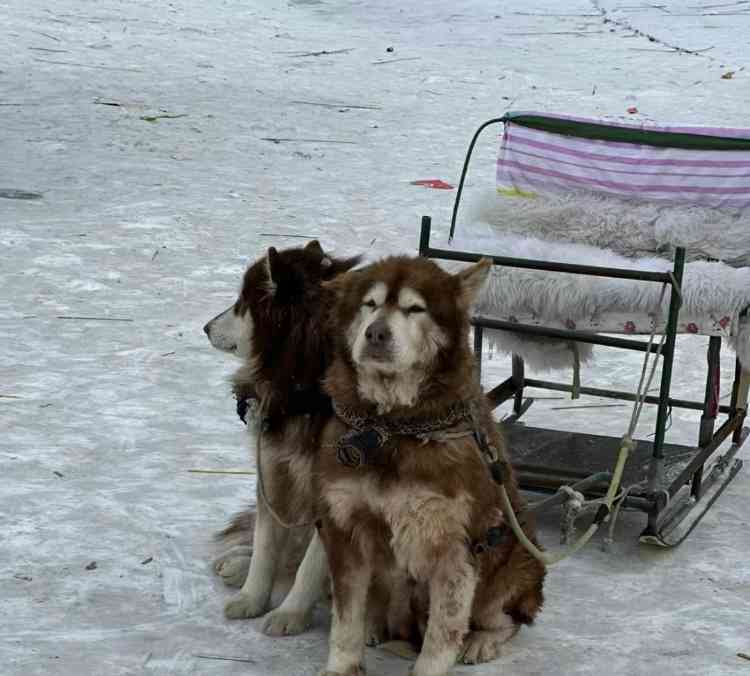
[268, 542]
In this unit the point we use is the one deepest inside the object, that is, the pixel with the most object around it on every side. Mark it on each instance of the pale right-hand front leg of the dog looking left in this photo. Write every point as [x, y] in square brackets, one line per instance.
[294, 614]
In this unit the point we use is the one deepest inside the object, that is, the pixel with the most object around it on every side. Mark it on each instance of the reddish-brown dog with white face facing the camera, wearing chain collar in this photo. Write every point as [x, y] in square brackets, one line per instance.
[417, 507]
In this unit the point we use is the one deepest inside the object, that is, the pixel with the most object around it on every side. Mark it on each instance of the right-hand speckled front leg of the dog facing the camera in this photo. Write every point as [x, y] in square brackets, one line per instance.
[452, 585]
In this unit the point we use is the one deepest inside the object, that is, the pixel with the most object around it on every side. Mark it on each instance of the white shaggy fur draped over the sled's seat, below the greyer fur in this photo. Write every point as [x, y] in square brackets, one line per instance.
[709, 289]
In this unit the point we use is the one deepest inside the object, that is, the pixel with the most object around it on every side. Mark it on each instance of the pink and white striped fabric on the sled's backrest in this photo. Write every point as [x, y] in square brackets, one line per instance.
[536, 161]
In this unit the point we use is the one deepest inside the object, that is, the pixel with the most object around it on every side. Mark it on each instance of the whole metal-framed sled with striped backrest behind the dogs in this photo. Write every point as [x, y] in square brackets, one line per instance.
[630, 166]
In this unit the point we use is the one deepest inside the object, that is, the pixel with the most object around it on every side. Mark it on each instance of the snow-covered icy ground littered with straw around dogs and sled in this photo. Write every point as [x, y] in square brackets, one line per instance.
[150, 220]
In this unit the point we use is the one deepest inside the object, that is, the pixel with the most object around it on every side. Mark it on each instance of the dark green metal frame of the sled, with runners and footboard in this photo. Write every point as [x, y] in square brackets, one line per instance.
[674, 485]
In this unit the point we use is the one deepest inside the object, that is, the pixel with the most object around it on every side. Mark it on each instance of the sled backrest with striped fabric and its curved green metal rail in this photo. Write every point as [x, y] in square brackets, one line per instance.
[544, 153]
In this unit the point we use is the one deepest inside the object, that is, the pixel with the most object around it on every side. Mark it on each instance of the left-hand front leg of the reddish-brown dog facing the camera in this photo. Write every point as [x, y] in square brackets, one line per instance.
[351, 573]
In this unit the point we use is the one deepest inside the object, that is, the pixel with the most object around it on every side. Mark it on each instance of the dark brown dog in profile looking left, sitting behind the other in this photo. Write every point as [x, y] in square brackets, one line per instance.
[277, 326]
